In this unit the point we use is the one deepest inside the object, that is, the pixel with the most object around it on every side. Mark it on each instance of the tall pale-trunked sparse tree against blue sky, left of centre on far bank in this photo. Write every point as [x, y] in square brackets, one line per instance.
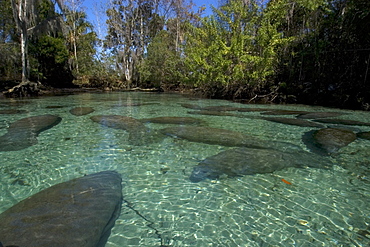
[131, 26]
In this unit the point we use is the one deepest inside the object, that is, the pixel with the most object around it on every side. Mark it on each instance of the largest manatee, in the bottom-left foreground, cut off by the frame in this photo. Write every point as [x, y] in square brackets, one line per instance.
[76, 213]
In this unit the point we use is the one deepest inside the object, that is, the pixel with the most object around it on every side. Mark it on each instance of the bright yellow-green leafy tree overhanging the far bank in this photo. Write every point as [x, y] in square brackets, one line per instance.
[236, 49]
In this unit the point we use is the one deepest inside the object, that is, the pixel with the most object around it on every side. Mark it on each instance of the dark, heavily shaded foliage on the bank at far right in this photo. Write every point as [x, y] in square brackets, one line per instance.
[329, 63]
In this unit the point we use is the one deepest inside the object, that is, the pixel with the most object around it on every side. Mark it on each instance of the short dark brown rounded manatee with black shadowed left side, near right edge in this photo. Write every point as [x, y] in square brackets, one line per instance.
[329, 140]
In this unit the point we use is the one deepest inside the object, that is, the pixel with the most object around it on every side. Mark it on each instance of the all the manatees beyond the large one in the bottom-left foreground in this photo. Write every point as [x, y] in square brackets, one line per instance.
[319, 139]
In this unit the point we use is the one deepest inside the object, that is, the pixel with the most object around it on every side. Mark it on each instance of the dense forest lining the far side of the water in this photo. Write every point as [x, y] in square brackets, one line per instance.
[281, 51]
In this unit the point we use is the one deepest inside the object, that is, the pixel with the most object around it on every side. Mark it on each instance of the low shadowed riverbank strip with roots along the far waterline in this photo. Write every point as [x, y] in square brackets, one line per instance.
[36, 89]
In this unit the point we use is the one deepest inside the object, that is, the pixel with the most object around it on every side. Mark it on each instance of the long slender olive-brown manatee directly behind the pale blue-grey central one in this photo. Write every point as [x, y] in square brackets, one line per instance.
[221, 137]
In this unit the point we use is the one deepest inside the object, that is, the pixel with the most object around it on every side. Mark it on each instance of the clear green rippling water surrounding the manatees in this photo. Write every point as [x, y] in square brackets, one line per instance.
[320, 208]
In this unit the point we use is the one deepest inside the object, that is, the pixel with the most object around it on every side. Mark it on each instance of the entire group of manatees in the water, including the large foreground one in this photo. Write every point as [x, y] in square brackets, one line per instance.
[81, 212]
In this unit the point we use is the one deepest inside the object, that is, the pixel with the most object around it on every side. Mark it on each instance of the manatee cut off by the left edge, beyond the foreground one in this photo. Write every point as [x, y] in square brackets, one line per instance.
[23, 133]
